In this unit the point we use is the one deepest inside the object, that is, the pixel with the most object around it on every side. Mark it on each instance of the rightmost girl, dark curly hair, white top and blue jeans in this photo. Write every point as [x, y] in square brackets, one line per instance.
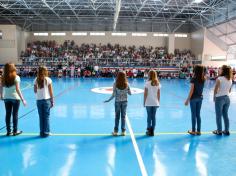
[221, 99]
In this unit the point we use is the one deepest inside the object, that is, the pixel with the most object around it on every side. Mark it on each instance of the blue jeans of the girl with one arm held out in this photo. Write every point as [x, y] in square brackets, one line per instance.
[120, 112]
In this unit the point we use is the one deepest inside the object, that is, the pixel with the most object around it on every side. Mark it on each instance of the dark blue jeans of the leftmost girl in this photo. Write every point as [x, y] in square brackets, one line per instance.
[12, 108]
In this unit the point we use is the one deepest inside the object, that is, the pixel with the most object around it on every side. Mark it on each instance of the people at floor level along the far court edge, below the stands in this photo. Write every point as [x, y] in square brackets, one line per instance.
[185, 72]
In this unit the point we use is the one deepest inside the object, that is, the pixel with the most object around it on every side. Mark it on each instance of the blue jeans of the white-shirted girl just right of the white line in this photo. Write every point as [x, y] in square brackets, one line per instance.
[151, 116]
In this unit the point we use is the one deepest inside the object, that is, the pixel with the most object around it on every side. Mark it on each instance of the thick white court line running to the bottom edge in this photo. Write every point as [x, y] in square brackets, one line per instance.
[137, 152]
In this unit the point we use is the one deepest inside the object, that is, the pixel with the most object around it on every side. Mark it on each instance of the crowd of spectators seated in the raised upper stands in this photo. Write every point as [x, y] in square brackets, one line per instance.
[69, 52]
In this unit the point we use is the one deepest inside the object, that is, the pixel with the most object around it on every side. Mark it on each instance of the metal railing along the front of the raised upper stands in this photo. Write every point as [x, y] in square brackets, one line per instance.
[105, 62]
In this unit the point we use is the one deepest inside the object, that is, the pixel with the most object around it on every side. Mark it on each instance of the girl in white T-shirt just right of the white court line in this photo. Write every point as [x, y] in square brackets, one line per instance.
[152, 100]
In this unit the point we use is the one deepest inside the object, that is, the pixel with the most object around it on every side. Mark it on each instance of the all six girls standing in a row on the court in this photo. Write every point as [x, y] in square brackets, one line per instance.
[10, 92]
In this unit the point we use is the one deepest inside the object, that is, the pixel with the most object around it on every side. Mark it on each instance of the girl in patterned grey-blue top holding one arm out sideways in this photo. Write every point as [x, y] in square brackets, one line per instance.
[121, 90]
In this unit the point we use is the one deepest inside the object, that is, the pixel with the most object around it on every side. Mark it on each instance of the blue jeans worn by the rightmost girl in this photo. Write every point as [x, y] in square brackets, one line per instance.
[221, 107]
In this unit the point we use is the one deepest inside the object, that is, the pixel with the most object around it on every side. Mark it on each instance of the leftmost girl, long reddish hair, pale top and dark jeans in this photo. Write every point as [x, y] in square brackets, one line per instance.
[11, 94]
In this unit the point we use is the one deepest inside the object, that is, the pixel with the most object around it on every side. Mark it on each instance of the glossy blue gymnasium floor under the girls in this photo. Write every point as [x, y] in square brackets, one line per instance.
[81, 143]
